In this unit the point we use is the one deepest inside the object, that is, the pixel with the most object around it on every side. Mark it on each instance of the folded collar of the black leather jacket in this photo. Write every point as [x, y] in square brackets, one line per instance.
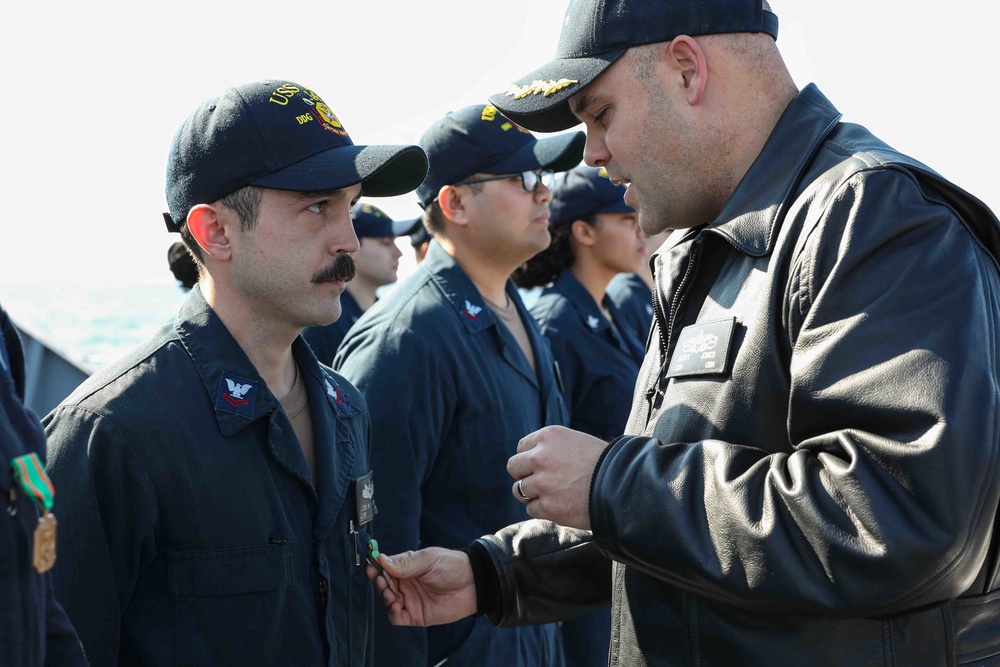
[752, 216]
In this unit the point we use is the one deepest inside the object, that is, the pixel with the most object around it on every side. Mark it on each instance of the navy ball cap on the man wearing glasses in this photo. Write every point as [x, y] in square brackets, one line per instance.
[480, 140]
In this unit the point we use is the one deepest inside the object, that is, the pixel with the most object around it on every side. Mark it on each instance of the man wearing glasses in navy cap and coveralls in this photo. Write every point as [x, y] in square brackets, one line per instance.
[457, 372]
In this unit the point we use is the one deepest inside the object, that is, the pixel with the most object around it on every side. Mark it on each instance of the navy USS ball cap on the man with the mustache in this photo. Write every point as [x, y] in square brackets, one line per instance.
[281, 135]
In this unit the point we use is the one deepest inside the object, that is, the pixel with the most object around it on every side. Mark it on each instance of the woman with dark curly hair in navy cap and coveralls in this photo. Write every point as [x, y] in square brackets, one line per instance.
[595, 236]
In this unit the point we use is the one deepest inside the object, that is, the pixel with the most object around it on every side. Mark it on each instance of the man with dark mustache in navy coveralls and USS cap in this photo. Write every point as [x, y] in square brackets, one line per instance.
[216, 484]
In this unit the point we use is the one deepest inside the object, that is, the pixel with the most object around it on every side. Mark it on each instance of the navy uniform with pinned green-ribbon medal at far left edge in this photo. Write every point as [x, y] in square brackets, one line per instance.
[34, 629]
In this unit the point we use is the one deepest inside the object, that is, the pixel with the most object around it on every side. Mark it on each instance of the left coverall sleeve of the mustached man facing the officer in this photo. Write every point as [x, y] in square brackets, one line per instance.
[107, 518]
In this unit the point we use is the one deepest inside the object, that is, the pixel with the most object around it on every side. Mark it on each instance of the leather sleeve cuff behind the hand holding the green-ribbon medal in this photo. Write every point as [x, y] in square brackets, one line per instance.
[543, 572]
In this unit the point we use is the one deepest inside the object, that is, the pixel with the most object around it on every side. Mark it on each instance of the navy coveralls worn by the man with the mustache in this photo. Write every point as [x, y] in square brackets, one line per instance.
[193, 532]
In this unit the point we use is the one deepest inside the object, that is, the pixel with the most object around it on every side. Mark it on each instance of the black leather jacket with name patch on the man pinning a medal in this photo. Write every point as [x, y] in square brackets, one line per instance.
[823, 489]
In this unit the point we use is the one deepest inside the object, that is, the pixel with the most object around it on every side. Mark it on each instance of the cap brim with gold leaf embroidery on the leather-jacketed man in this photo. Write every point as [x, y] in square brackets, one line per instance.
[539, 101]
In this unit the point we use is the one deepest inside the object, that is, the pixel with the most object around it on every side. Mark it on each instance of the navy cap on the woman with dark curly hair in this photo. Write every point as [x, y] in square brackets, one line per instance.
[584, 191]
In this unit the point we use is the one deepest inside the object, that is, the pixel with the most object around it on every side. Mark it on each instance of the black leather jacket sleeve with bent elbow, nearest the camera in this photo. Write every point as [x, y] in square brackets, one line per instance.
[882, 500]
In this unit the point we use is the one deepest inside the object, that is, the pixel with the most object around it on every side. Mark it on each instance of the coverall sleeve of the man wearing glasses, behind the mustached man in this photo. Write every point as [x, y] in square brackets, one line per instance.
[409, 403]
